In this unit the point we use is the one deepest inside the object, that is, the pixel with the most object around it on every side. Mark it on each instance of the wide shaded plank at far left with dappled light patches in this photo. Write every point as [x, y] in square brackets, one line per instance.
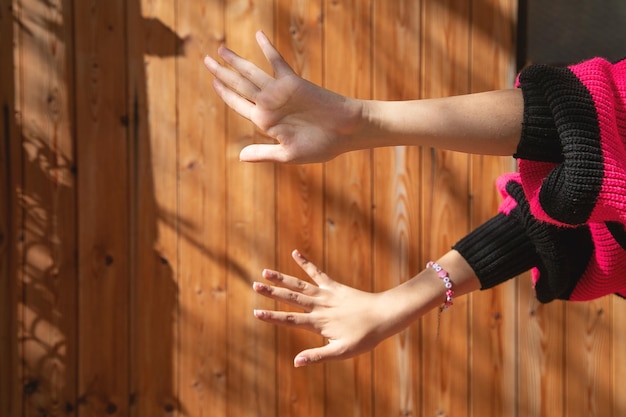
[47, 333]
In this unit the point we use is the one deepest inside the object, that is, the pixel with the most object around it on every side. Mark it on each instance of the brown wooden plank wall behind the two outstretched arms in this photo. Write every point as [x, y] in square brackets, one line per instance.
[130, 233]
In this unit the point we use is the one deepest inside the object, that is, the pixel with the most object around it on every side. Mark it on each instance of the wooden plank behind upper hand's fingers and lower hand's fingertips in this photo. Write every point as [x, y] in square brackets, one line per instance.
[251, 217]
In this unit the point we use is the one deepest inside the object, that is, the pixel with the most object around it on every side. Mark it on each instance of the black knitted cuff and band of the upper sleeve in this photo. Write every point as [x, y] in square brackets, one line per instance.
[561, 126]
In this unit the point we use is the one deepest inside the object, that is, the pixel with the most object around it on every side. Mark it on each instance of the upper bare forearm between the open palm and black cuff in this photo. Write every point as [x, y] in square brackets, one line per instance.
[482, 123]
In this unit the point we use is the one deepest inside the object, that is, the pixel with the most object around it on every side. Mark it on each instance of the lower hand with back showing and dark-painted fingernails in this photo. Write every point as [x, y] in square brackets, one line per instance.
[352, 321]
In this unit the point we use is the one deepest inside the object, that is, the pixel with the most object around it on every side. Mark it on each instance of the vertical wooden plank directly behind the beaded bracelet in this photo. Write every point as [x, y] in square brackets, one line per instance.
[445, 346]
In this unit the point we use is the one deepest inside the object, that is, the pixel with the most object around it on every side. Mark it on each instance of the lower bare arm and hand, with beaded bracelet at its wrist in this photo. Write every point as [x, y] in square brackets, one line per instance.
[355, 321]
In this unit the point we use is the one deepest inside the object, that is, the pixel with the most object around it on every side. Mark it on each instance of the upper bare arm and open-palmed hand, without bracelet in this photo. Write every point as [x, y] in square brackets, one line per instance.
[312, 124]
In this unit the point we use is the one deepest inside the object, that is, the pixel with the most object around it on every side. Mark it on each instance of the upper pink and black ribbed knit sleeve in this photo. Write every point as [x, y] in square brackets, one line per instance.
[572, 151]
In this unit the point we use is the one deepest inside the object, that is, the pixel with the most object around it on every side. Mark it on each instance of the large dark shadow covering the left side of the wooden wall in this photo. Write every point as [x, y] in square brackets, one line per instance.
[62, 271]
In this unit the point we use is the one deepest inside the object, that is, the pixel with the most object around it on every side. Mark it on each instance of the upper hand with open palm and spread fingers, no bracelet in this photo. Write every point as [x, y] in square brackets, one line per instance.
[309, 123]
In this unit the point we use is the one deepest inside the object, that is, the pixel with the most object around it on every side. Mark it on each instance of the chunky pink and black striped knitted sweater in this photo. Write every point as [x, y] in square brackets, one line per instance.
[564, 213]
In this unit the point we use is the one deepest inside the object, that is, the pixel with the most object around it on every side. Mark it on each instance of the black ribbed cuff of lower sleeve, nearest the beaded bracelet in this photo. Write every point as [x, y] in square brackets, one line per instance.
[498, 250]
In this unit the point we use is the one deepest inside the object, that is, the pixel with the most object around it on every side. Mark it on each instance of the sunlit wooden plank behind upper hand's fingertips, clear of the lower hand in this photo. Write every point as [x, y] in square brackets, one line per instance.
[202, 216]
